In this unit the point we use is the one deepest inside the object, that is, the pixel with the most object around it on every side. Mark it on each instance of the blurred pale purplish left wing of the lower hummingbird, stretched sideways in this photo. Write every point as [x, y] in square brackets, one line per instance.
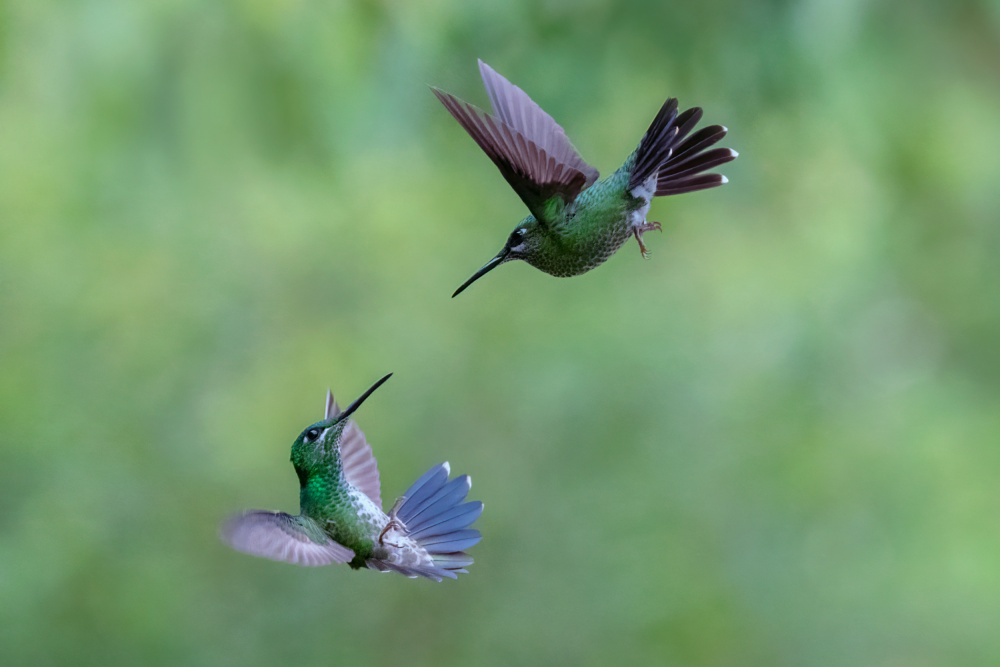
[279, 536]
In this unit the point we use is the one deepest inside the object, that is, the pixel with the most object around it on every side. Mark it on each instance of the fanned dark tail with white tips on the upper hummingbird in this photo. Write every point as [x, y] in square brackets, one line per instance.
[676, 159]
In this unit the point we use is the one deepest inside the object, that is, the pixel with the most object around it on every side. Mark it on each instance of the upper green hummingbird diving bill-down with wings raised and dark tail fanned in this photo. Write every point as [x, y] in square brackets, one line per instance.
[574, 224]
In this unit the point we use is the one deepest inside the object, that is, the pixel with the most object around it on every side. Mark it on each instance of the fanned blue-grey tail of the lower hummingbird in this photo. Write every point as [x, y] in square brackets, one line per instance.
[436, 517]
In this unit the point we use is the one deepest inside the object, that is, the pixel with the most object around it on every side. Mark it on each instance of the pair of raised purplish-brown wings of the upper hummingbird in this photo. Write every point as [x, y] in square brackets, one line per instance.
[527, 145]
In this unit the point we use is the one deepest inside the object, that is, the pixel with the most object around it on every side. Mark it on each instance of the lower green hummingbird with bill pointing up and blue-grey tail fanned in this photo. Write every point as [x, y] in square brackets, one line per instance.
[341, 519]
